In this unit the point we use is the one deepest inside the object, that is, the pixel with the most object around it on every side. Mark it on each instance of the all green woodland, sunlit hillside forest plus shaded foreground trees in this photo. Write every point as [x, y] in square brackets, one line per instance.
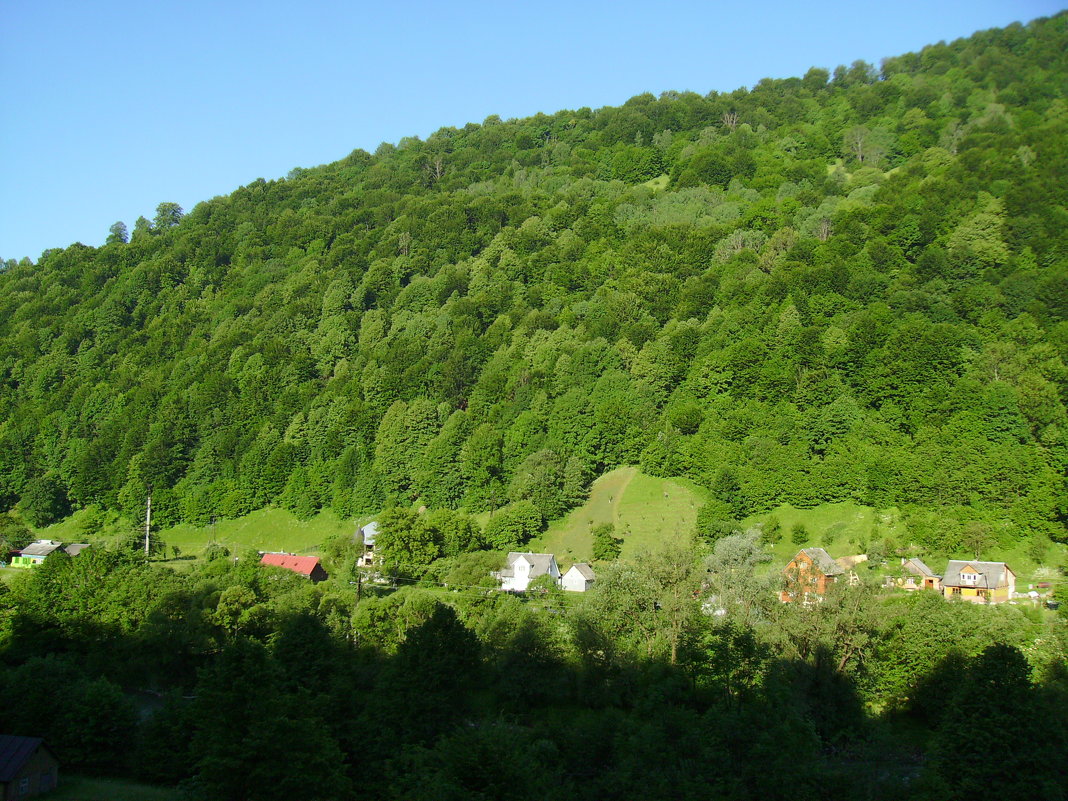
[847, 287]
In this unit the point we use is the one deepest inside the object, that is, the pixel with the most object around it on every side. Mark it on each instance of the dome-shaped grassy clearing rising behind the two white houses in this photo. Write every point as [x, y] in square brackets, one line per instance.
[646, 512]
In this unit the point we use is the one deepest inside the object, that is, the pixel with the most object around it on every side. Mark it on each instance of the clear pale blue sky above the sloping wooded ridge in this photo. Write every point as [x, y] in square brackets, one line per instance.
[109, 108]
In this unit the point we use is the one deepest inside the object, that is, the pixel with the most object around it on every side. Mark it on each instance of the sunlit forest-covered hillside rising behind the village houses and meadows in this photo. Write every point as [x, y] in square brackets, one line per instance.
[852, 286]
